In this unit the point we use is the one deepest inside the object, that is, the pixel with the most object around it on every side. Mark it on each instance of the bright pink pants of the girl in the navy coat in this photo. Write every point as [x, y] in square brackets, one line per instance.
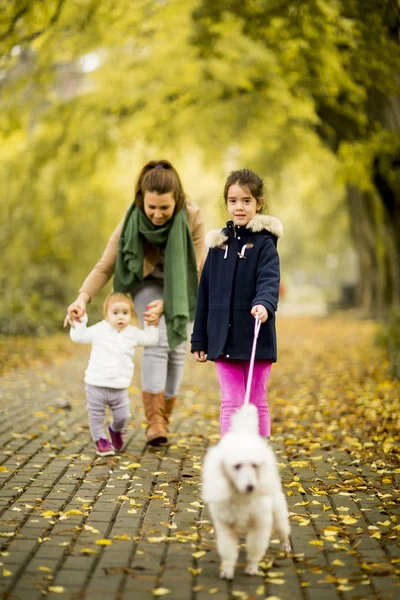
[232, 375]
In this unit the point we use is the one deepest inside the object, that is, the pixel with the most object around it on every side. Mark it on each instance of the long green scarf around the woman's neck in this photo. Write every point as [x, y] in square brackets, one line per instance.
[180, 268]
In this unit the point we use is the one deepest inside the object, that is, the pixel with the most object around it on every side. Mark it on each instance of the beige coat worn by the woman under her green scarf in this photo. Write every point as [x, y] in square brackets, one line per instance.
[104, 269]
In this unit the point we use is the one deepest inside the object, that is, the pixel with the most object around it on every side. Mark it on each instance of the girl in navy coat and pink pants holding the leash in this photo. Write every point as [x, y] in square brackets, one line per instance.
[240, 281]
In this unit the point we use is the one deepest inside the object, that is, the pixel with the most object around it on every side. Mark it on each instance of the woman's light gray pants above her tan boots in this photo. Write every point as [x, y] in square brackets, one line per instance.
[162, 368]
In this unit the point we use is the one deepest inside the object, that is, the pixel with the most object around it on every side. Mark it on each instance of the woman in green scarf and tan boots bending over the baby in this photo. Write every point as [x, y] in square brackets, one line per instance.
[156, 254]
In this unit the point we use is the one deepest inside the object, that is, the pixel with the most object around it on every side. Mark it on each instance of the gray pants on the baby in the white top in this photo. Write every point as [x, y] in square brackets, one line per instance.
[98, 398]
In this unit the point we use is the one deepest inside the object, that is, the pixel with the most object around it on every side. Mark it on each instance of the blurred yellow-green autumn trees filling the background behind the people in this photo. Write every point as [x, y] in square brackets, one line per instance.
[306, 94]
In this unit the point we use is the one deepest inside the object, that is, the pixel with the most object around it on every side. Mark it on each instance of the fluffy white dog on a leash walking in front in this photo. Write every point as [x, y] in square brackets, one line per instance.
[243, 490]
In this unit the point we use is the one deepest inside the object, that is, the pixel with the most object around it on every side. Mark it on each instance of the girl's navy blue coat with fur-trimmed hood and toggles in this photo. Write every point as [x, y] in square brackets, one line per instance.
[241, 270]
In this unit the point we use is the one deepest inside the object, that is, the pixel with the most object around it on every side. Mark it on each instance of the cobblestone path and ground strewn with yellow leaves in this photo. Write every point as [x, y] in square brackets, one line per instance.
[76, 526]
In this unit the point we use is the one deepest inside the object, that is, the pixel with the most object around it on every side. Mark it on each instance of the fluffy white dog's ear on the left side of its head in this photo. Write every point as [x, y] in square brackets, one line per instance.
[215, 484]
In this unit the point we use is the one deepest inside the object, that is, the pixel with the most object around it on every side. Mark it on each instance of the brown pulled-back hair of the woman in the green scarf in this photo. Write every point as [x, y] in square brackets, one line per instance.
[160, 177]
